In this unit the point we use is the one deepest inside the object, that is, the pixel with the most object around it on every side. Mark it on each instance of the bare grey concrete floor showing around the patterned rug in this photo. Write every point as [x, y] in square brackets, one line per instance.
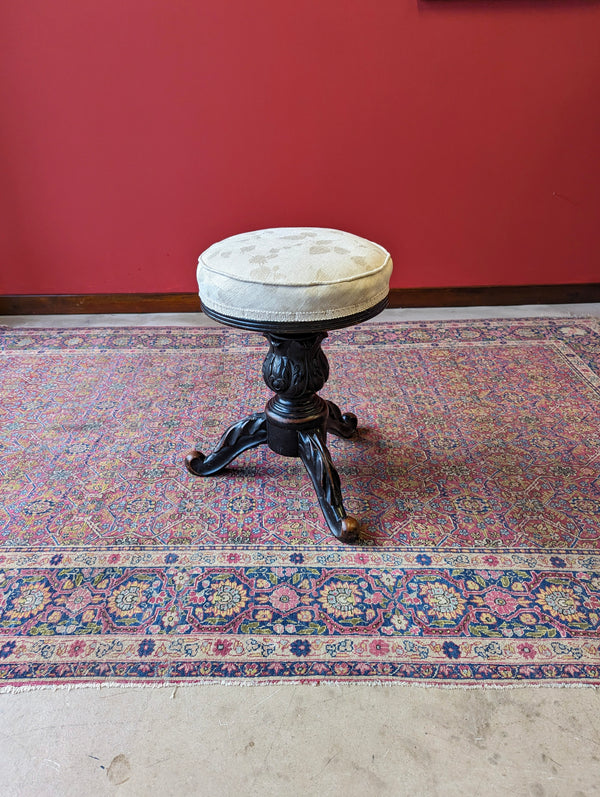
[301, 740]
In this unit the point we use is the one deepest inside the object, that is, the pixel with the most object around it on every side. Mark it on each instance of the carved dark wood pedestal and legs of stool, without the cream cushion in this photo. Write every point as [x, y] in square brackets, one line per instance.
[296, 420]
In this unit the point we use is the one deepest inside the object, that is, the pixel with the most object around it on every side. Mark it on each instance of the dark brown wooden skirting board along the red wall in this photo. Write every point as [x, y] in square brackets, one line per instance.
[399, 297]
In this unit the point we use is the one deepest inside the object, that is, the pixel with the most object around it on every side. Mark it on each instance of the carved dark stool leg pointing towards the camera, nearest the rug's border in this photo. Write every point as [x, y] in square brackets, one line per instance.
[317, 461]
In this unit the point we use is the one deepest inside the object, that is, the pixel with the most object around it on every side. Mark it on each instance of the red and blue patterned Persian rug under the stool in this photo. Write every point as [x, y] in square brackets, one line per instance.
[475, 473]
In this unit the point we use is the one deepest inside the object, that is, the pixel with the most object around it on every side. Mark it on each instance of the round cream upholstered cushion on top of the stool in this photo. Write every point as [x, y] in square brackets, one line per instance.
[293, 274]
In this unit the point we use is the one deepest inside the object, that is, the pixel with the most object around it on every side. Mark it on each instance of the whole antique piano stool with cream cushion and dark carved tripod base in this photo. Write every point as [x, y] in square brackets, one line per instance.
[293, 284]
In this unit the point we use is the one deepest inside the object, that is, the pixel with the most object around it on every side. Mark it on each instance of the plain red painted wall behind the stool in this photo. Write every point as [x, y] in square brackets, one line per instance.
[464, 135]
